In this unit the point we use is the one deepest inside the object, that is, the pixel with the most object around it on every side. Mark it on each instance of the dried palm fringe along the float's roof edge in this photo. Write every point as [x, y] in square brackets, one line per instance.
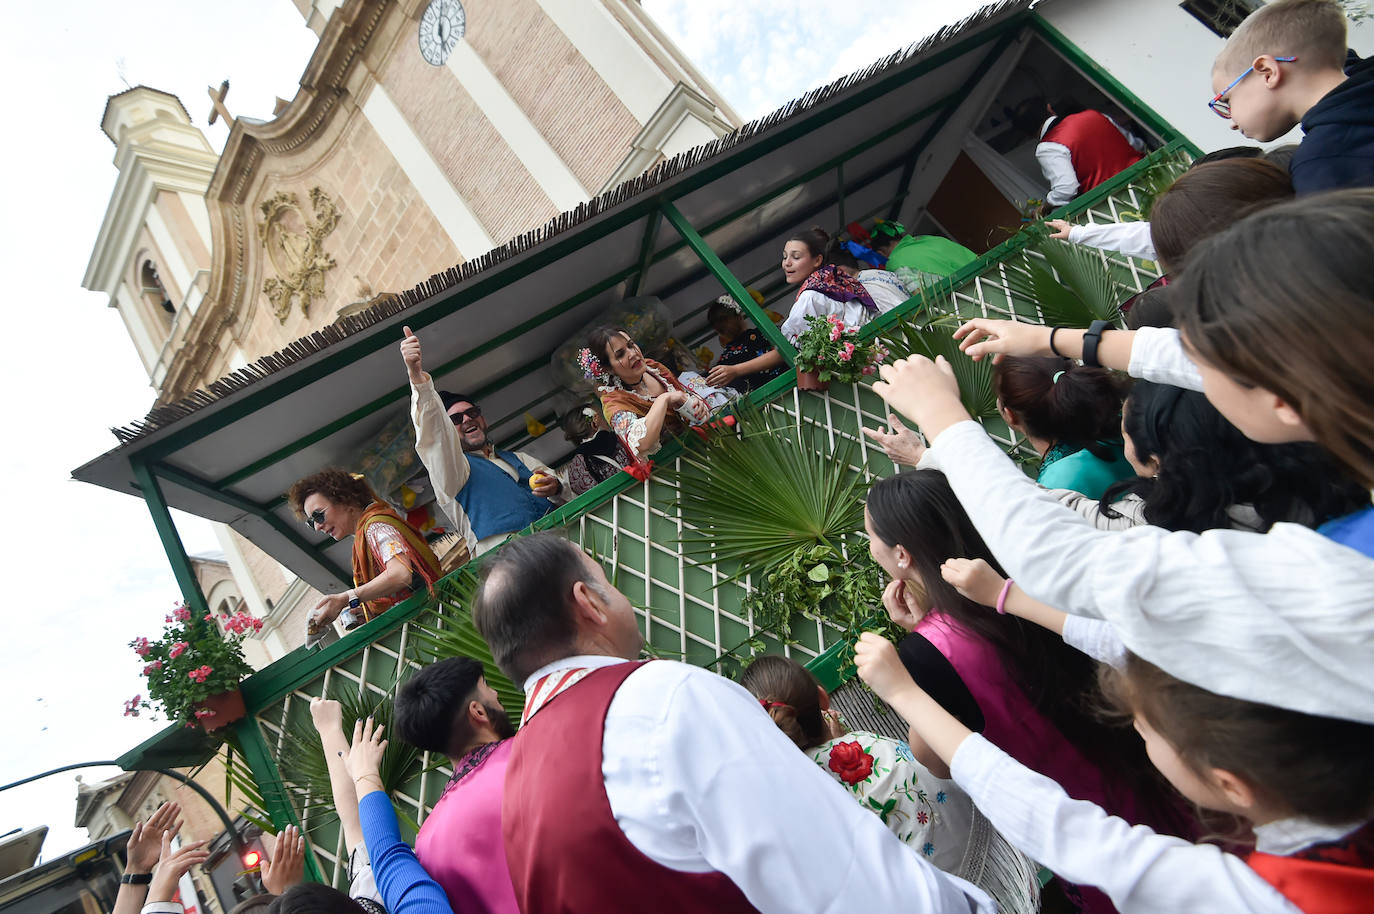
[439, 284]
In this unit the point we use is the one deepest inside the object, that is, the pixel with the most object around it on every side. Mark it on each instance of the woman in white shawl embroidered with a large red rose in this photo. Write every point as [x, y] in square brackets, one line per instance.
[932, 816]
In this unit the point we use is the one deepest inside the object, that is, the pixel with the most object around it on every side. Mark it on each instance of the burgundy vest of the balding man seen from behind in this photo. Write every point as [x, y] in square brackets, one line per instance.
[564, 846]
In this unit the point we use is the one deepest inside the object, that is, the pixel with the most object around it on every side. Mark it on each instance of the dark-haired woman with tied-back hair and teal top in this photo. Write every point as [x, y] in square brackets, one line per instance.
[1071, 416]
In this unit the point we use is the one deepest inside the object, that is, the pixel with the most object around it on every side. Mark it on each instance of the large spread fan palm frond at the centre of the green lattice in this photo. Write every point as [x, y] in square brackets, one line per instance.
[755, 500]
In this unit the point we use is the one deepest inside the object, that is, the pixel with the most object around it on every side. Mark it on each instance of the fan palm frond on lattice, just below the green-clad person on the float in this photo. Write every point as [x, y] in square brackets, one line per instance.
[1068, 284]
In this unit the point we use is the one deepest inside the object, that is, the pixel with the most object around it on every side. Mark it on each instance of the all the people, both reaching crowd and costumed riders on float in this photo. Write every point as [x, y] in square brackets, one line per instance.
[1147, 670]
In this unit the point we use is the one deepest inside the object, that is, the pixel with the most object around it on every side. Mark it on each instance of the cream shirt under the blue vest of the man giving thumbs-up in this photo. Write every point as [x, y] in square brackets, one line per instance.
[440, 449]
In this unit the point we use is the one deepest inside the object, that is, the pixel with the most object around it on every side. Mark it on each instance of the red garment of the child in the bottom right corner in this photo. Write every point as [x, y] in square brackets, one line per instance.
[1328, 879]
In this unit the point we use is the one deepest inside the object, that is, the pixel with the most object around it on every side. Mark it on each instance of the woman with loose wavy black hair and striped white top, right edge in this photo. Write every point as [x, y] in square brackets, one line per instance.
[1196, 472]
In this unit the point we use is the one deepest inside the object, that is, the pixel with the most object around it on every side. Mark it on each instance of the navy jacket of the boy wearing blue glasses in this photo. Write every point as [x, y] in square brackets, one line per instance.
[1338, 148]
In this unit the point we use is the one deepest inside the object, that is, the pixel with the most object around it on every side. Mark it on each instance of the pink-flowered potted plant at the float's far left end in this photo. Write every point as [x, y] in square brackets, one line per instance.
[190, 663]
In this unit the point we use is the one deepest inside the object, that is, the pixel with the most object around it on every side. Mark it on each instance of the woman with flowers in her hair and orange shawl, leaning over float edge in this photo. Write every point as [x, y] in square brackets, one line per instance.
[641, 398]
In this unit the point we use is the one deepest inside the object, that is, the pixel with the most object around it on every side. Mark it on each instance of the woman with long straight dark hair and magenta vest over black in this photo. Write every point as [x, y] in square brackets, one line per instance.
[1015, 682]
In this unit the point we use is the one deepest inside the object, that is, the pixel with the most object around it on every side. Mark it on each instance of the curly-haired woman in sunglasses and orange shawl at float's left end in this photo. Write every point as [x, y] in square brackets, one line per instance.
[391, 559]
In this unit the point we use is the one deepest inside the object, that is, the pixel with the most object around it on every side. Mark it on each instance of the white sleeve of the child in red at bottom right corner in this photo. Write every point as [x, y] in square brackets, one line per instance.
[1138, 869]
